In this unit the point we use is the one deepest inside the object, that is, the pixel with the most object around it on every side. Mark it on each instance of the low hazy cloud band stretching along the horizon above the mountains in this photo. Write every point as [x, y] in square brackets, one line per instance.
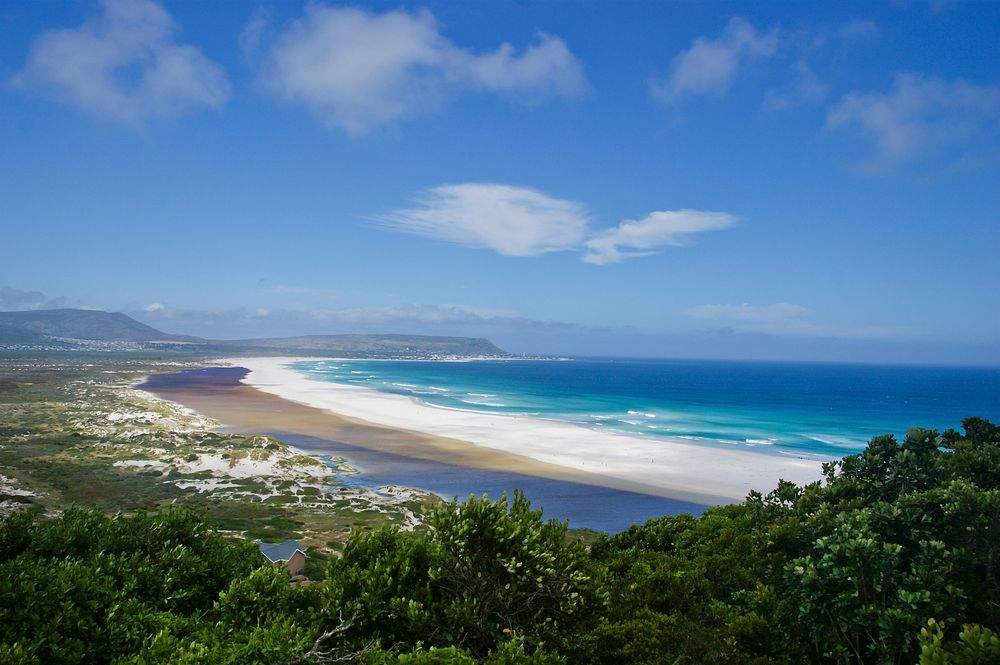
[780, 321]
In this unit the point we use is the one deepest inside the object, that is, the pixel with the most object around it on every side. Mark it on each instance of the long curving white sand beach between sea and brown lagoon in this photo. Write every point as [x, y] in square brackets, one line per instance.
[674, 467]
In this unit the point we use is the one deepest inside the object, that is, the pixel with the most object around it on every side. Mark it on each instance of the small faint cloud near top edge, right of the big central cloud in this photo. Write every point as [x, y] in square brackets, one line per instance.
[710, 66]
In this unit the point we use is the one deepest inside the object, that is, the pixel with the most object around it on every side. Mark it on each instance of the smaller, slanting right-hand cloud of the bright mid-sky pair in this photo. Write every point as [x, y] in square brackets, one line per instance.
[654, 231]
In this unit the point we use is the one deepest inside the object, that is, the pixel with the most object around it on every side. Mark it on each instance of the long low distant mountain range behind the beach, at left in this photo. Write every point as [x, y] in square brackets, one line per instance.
[68, 329]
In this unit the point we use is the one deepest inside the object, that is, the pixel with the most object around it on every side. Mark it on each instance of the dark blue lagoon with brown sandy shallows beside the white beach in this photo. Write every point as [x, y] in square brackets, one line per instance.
[444, 466]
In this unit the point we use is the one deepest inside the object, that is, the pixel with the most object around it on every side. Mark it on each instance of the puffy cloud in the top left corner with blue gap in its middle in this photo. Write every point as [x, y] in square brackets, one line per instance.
[124, 65]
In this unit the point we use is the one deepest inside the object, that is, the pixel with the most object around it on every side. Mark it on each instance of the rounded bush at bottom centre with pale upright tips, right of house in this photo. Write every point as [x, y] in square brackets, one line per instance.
[487, 571]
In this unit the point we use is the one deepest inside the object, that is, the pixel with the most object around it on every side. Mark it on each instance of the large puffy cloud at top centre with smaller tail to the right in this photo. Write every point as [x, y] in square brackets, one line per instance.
[358, 70]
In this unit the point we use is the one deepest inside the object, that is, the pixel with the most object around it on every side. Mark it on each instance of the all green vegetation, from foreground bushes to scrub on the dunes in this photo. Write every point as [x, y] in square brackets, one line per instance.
[891, 558]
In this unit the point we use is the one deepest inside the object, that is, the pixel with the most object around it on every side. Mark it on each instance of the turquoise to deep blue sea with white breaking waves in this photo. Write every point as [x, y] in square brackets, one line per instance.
[824, 410]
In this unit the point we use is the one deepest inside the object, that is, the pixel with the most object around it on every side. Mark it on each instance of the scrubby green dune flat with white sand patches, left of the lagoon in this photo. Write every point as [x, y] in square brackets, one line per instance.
[73, 430]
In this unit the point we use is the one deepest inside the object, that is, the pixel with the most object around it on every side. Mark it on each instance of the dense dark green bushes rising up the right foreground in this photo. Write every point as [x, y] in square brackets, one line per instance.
[847, 571]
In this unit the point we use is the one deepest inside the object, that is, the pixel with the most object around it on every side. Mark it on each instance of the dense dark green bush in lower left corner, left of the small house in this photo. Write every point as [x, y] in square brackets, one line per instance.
[86, 588]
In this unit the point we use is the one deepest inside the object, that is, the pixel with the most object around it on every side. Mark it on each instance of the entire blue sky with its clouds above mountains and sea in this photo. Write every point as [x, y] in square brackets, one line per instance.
[739, 180]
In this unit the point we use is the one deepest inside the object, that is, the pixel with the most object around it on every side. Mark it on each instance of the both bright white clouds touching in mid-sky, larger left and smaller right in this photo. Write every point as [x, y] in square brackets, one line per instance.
[520, 221]
